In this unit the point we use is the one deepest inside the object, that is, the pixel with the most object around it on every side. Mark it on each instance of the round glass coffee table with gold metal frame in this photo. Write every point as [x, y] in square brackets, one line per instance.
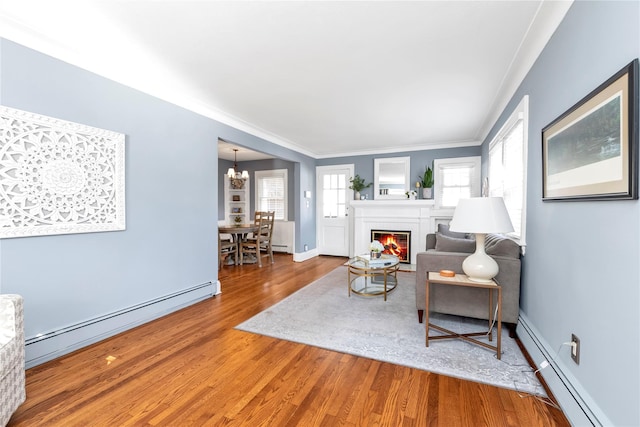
[372, 278]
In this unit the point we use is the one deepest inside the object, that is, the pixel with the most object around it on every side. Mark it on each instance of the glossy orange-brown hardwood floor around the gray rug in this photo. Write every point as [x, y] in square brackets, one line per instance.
[192, 368]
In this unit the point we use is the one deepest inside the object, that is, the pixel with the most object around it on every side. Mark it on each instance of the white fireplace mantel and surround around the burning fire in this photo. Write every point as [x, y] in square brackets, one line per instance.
[418, 216]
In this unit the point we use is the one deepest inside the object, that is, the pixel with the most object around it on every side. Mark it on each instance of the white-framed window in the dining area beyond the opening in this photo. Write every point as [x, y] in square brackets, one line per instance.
[271, 192]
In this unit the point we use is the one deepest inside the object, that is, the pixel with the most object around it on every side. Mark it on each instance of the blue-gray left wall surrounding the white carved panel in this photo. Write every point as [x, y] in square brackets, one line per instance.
[171, 179]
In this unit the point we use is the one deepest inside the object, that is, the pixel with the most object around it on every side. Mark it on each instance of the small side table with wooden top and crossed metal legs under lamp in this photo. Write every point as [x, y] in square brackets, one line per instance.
[463, 280]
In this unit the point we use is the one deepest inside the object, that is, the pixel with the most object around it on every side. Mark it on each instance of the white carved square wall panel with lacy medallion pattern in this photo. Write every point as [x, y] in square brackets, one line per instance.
[58, 177]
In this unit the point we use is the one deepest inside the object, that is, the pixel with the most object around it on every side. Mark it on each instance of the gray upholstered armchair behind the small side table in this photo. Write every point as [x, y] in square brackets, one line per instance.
[447, 251]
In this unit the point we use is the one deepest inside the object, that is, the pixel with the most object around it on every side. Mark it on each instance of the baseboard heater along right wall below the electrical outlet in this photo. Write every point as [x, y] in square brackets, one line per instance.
[575, 402]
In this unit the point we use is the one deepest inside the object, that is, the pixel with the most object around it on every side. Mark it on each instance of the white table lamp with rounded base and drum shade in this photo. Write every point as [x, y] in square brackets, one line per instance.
[481, 215]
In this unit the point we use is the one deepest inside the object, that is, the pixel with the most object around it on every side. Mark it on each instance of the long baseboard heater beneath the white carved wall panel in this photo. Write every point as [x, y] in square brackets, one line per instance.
[53, 344]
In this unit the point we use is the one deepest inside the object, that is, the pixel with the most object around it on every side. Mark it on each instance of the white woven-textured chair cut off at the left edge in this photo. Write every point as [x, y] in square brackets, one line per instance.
[12, 378]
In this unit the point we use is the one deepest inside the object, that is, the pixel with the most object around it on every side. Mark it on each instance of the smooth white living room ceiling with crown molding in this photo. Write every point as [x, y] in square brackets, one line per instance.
[326, 78]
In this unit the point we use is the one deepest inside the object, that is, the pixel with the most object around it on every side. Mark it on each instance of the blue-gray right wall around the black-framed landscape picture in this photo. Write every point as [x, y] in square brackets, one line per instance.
[580, 272]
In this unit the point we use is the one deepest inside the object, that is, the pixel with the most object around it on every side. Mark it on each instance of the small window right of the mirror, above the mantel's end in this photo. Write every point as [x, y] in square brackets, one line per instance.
[454, 179]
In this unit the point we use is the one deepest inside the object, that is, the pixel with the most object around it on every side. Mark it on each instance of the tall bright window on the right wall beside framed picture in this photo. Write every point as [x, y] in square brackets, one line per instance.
[508, 167]
